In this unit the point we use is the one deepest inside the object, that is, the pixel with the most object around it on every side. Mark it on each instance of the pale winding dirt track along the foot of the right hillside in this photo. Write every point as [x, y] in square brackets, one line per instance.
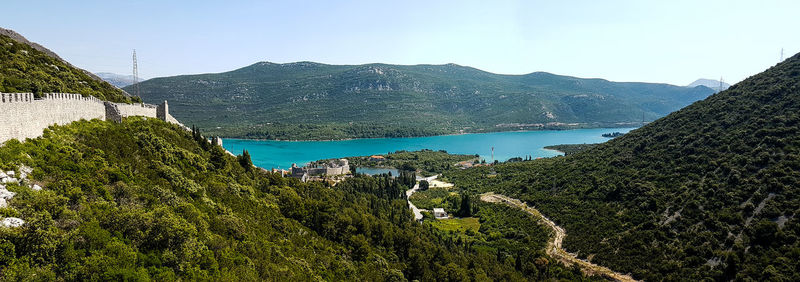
[554, 246]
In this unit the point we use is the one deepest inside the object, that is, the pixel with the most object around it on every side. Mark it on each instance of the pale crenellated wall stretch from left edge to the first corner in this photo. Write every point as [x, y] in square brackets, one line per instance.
[22, 116]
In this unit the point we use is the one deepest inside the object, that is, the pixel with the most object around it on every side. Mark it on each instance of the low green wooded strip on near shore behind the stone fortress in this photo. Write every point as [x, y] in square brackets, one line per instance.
[424, 162]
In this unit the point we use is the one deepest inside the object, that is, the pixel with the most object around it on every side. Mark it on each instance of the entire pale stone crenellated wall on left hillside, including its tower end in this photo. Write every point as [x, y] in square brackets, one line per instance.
[24, 116]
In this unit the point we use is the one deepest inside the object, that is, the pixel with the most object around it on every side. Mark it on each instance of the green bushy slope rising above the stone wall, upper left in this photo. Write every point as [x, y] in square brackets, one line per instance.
[25, 69]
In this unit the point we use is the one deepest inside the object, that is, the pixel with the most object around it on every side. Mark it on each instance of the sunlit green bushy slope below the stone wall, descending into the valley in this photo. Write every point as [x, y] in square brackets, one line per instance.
[144, 199]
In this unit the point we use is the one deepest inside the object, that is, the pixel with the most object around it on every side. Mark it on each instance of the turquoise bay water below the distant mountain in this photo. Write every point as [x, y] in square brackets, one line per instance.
[281, 154]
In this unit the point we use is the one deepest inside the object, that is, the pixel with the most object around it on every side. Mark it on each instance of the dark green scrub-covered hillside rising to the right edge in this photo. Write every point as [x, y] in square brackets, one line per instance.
[711, 191]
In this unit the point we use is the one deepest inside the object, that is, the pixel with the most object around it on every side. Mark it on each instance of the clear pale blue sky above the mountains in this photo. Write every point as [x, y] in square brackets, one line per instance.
[654, 41]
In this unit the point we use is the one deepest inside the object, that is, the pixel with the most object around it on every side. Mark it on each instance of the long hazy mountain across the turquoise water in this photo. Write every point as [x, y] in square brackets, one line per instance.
[307, 100]
